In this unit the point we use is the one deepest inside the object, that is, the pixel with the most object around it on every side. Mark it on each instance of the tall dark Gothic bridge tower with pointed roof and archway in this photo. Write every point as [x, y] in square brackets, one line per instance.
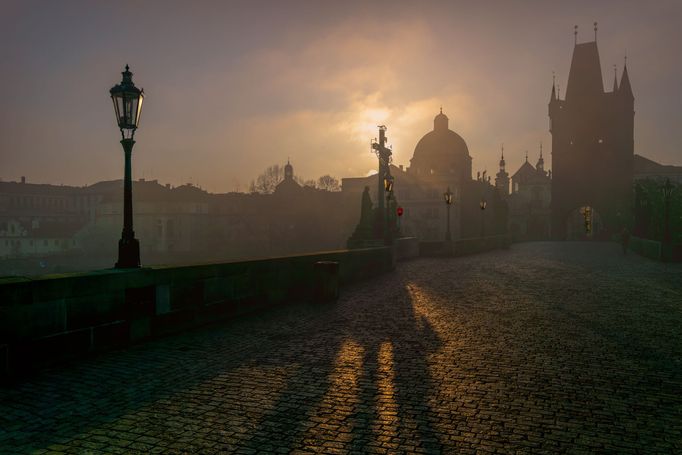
[592, 146]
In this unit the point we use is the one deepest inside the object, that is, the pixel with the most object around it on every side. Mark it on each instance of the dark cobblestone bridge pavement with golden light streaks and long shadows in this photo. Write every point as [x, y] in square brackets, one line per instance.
[542, 348]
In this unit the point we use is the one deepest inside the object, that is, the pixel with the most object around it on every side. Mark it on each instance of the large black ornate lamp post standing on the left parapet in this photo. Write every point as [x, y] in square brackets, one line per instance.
[127, 106]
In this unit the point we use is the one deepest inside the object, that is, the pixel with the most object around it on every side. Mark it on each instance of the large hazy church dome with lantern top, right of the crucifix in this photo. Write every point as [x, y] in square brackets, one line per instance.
[441, 151]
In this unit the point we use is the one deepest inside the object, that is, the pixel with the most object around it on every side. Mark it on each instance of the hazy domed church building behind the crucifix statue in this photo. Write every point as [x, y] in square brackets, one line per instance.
[441, 160]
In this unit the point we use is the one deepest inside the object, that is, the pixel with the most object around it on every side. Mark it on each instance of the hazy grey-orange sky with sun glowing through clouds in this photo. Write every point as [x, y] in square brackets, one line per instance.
[233, 87]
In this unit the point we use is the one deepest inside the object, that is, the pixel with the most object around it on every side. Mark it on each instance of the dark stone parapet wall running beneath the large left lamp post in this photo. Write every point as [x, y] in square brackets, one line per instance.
[52, 318]
